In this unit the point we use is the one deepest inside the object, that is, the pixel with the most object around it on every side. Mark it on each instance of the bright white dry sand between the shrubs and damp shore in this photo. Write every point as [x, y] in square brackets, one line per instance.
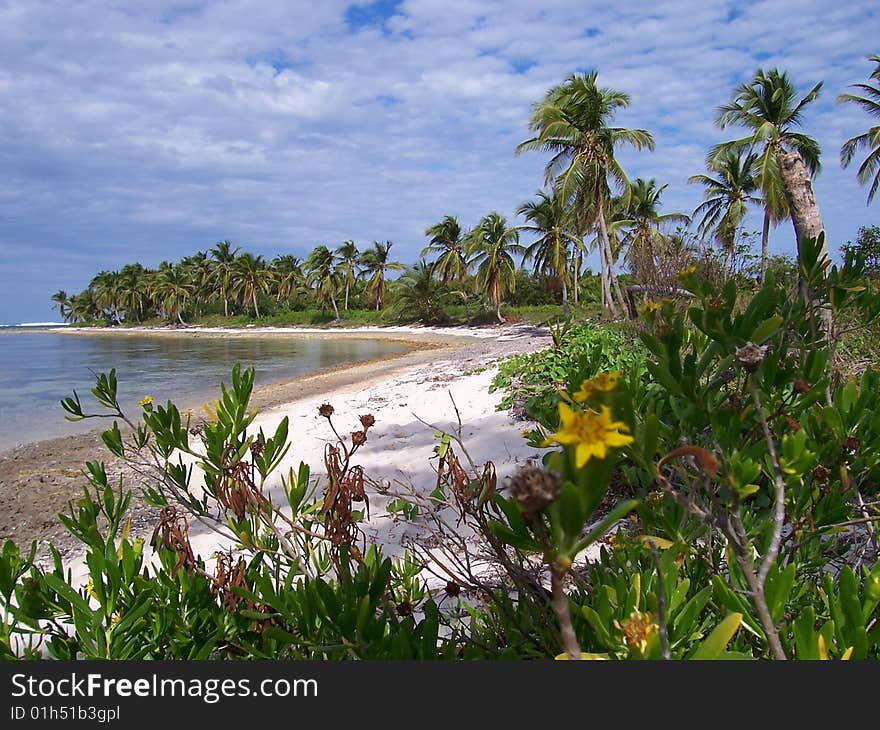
[400, 447]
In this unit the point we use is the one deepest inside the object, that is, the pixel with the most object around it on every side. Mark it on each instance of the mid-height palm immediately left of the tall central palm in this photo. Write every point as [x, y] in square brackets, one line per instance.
[553, 249]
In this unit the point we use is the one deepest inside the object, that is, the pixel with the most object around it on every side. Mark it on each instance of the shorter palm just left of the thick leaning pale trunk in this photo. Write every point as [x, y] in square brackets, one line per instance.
[727, 190]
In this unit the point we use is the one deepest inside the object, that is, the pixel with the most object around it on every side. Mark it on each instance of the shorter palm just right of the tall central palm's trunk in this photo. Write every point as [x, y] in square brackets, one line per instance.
[642, 224]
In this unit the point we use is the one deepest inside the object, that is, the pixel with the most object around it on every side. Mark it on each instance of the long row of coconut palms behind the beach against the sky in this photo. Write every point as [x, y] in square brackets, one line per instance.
[587, 204]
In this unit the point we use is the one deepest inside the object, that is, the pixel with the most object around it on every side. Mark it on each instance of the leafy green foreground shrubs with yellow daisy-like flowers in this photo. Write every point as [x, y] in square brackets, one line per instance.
[709, 493]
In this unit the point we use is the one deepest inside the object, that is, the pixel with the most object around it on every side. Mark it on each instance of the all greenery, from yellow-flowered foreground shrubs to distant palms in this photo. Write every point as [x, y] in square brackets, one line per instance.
[707, 418]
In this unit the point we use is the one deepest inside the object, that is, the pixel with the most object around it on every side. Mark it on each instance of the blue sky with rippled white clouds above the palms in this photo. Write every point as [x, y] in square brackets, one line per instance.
[147, 131]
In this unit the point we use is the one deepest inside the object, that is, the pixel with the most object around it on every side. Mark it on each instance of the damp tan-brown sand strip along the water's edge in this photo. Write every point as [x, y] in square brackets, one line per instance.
[38, 479]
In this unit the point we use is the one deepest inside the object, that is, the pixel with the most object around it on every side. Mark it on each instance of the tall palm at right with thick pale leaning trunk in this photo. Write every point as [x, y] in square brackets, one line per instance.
[767, 107]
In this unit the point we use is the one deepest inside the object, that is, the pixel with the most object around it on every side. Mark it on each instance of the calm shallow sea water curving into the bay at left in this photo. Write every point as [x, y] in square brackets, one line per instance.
[38, 369]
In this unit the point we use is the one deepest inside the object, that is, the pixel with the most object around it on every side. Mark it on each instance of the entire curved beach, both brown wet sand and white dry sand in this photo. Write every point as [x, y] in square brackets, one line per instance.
[37, 480]
